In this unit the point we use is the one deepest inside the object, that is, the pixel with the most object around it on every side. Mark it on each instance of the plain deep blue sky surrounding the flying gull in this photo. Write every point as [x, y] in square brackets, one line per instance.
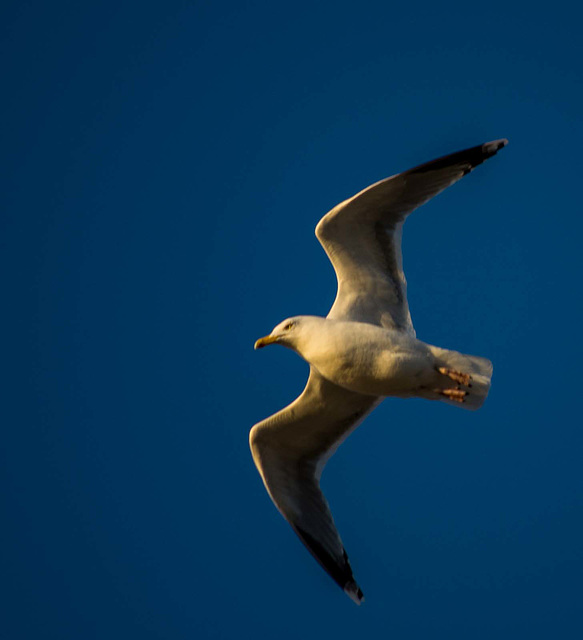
[164, 166]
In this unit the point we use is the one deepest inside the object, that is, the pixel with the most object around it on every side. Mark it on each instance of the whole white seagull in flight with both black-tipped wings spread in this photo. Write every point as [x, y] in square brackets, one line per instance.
[362, 352]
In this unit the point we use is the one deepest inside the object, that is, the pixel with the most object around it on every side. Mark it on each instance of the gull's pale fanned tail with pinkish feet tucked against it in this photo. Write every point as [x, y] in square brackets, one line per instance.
[464, 381]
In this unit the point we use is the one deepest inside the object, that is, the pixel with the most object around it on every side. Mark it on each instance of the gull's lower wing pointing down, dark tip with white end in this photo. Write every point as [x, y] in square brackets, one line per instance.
[290, 450]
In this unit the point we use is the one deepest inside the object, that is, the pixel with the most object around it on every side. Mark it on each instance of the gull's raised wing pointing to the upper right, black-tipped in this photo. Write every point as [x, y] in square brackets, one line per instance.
[362, 237]
